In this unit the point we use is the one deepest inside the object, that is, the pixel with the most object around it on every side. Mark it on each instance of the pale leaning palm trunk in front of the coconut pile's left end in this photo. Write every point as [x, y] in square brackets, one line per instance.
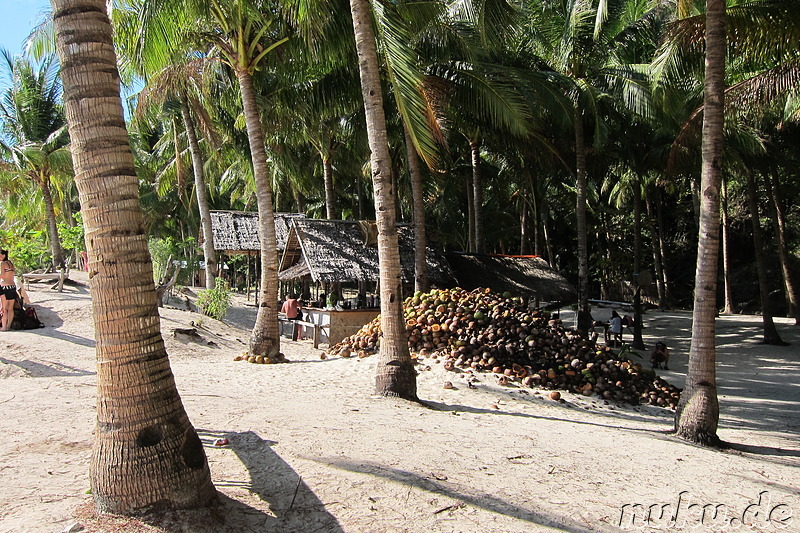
[395, 373]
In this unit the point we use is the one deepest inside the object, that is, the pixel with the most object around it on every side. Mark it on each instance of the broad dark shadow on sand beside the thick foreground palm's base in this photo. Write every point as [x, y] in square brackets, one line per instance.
[294, 505]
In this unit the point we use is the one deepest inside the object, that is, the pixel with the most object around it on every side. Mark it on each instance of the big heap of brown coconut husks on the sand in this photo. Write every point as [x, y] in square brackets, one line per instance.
[484, 331]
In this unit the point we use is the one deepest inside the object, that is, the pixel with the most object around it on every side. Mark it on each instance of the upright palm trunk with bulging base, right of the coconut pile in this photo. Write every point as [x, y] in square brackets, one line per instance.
[697, 416]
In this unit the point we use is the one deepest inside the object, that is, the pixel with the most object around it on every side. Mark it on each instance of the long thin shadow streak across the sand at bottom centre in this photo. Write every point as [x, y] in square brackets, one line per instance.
[483, 500]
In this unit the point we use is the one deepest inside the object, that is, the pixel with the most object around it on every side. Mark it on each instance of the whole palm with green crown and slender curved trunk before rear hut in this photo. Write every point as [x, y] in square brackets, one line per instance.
[244, 33]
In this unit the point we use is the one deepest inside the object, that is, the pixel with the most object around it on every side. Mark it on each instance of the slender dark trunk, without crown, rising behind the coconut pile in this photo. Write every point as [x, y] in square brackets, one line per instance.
[584, 317]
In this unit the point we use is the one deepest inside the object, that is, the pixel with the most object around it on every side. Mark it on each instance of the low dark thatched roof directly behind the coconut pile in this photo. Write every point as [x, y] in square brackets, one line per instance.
[519, 275]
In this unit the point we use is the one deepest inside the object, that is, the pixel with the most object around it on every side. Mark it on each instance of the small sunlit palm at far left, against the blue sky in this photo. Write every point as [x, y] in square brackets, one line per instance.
[33, 120]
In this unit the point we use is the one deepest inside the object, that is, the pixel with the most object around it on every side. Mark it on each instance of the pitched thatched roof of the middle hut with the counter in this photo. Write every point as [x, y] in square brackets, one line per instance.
[334, 250]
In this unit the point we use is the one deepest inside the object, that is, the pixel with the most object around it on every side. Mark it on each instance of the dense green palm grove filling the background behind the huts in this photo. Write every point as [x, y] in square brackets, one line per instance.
[513, 107]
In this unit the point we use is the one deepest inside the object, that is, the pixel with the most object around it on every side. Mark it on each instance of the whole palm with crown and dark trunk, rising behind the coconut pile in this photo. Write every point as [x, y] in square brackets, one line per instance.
[586, 41]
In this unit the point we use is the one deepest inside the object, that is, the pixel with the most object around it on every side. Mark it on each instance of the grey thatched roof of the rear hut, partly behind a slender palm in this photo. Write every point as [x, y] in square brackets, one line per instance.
[236, 232]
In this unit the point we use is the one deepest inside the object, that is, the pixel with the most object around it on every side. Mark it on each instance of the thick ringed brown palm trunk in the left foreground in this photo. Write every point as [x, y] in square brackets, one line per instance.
[146, 452]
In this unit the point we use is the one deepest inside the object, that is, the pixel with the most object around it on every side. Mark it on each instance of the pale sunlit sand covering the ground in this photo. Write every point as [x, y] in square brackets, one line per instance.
[312, 449]
